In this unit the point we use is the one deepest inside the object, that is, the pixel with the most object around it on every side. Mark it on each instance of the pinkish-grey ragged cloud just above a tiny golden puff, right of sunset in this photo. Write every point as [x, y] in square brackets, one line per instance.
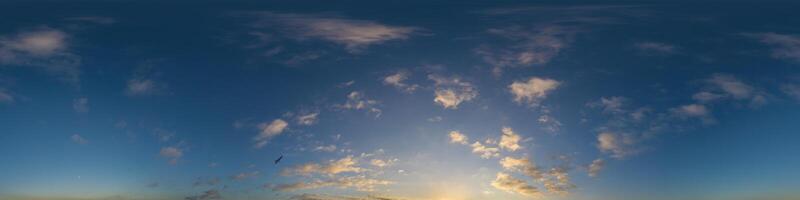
[619, 146]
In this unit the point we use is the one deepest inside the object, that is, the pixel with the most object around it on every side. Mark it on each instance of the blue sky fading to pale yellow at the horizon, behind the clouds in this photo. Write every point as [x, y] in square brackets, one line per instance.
[211, 77]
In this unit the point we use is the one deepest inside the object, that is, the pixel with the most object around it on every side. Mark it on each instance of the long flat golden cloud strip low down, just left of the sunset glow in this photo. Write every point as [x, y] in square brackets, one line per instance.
[360, 183]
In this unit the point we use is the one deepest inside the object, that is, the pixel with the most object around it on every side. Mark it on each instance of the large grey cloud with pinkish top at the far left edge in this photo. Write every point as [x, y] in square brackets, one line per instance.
[44, 48]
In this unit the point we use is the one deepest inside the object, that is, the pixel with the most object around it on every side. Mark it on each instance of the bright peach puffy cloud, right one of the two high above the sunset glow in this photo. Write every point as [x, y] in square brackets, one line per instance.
[533, 91]
